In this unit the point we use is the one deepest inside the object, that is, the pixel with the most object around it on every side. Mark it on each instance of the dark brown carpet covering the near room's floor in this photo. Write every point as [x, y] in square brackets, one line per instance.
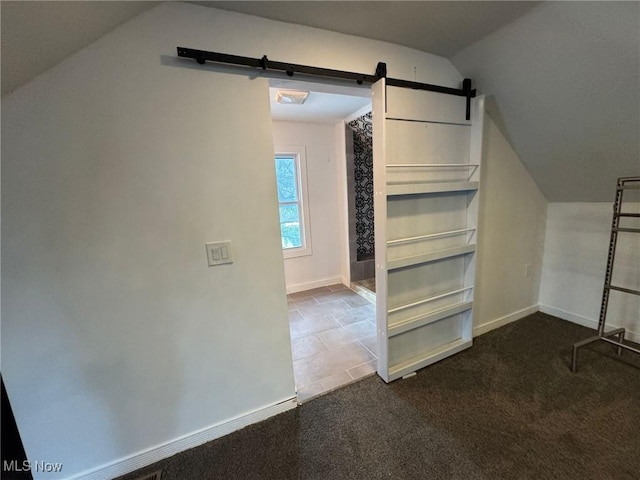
[508, 408]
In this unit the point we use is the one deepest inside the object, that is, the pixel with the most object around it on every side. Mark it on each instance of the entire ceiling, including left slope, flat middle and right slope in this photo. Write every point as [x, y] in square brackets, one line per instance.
[563, 77]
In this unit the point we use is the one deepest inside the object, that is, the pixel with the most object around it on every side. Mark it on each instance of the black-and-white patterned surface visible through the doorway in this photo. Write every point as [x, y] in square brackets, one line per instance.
[363, 179]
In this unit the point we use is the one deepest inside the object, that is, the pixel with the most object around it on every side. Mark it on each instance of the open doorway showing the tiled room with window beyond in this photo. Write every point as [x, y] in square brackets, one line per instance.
[324, 178]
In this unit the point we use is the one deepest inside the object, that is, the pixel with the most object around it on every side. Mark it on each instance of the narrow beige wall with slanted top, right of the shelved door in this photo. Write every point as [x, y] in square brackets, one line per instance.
[511, 235]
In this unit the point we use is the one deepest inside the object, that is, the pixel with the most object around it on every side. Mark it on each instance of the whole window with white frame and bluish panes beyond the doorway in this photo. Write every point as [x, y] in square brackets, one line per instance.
[292, 201]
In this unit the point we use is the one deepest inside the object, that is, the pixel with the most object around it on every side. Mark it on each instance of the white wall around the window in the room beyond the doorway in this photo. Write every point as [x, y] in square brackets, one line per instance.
[322, 267]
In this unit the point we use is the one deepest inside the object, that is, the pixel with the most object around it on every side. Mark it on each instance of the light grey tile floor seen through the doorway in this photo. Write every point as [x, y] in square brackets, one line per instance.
[333, 338]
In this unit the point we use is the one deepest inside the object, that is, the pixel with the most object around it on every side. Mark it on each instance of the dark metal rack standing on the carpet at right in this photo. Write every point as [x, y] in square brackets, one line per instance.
[624, 183]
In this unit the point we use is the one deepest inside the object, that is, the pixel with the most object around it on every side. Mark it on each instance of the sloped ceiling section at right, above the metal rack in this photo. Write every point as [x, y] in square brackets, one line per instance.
[565, 85]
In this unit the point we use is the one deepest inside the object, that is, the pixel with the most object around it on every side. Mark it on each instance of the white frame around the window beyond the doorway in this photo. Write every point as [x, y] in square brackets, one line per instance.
[299, 154]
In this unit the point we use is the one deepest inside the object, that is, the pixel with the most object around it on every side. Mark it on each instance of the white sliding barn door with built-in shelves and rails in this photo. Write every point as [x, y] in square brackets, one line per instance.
[426, 178]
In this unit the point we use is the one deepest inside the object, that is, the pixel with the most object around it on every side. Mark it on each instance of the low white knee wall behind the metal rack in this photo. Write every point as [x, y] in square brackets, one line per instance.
[575, 261]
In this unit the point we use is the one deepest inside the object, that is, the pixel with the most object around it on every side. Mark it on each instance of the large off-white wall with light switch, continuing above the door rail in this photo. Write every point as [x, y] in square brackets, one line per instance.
[118, 164]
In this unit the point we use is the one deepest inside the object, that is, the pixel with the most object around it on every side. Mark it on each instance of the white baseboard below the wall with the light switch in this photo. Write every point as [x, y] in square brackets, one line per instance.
[160, 452]
